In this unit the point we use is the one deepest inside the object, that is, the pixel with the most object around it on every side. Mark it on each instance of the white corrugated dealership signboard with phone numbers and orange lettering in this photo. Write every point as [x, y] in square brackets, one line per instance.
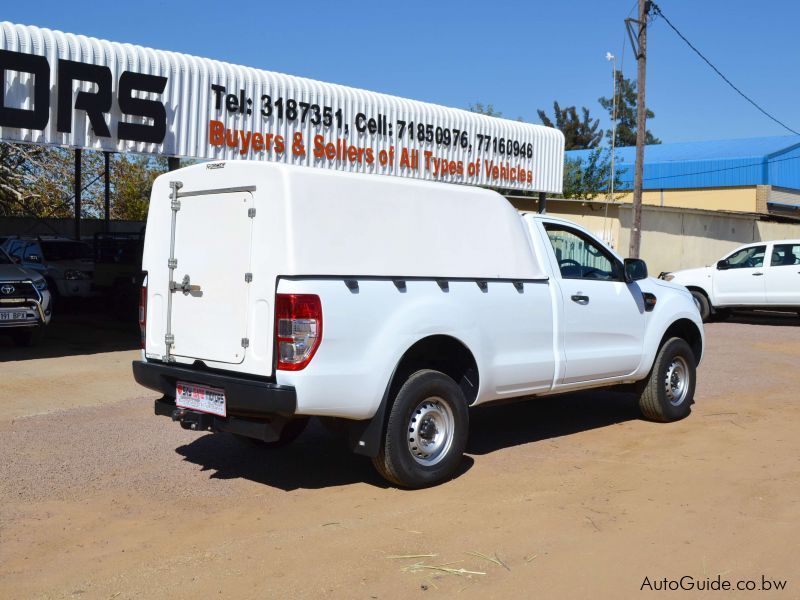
[81, 92]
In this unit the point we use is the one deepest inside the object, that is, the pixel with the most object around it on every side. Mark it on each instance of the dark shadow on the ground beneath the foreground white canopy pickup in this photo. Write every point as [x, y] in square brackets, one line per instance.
[318, 459]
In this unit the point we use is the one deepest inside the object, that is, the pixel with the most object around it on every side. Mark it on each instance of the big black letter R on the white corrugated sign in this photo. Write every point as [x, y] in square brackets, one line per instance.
[96, 104]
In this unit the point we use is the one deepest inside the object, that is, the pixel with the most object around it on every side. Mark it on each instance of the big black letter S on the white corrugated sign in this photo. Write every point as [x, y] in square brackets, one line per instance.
[138, 107]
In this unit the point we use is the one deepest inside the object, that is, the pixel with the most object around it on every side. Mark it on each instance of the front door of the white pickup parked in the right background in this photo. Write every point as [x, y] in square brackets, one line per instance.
[739, 279]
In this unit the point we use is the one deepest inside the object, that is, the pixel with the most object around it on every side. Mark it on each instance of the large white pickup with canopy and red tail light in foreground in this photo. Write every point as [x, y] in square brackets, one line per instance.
[274, 293]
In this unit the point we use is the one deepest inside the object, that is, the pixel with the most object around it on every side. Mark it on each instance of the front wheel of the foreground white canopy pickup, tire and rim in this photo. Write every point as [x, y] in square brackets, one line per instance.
[668, 394]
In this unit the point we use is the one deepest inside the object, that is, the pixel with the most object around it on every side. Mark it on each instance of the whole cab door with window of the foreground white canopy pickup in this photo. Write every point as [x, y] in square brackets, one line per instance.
[603, 318]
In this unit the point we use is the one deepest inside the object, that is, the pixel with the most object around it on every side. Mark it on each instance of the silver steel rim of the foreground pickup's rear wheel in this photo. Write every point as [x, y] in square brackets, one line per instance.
[430, 431]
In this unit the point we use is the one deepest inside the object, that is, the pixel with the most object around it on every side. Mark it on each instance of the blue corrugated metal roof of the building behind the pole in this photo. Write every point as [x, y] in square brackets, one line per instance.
[719, 163]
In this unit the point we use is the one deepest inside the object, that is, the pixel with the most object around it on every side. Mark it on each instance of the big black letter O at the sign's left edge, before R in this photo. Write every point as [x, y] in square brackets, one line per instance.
[37, 117]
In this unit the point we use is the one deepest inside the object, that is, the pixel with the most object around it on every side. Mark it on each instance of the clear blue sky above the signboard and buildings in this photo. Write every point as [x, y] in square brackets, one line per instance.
[519, 56]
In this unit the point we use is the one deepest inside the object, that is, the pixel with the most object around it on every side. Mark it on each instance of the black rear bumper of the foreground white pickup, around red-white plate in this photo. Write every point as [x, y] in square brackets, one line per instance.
[244, 397]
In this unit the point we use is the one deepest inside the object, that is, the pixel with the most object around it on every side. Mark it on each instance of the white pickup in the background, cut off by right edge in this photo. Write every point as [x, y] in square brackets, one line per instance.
[758, 275]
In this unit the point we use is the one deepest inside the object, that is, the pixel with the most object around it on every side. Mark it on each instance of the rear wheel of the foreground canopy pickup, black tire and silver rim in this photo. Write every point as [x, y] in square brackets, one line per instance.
[426, 433]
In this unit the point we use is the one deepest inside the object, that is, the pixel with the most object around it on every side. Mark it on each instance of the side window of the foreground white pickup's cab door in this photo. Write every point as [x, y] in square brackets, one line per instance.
[580, 257]
